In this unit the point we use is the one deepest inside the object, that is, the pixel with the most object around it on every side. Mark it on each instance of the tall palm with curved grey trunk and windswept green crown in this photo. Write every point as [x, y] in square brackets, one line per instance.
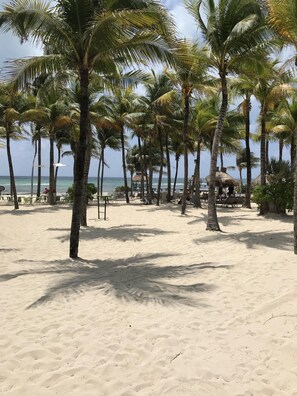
[233, 31]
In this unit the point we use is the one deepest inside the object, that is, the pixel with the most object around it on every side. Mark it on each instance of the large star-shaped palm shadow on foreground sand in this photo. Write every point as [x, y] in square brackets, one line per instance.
[134, 279]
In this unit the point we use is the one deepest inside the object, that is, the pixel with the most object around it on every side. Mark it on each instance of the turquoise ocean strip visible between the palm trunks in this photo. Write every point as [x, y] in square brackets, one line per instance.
[23, 184]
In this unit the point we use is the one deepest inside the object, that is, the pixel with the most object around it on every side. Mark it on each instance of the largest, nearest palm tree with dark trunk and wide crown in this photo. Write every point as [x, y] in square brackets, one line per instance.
[83, 36]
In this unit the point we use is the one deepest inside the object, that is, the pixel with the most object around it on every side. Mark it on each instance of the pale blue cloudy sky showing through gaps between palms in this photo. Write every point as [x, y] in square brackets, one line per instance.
[22, 151]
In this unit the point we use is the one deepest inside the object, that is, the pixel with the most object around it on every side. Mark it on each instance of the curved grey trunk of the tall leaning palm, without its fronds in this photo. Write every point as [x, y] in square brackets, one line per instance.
[212, 219]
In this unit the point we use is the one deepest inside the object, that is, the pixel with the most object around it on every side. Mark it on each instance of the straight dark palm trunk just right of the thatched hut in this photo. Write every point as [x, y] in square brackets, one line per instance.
[247, 200]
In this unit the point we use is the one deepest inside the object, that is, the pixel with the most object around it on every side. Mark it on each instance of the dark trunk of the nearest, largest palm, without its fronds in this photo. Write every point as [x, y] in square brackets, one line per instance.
[80, 163]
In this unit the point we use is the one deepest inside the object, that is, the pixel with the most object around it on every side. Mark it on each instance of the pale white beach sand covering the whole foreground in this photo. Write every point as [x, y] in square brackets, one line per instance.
[157, 305]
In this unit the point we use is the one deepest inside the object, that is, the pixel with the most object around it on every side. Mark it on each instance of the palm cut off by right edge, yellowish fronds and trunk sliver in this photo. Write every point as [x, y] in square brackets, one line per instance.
[283, 17]
